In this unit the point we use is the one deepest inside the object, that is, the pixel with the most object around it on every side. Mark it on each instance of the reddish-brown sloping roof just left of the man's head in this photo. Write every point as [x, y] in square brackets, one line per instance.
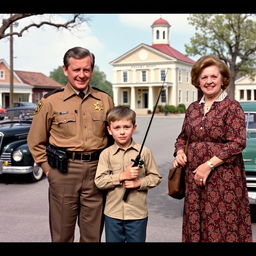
[37, 79]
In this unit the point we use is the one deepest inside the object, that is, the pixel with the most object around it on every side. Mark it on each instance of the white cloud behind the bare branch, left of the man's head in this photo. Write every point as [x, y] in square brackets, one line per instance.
[42, 49]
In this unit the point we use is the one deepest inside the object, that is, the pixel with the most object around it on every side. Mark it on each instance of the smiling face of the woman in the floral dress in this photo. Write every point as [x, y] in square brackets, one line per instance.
[210, 81]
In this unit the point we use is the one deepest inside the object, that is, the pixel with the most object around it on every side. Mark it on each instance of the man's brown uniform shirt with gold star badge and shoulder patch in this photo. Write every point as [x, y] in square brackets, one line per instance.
[65, 120]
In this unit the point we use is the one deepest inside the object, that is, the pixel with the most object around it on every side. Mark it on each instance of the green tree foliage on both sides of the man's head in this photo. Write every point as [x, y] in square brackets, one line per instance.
[98, 79]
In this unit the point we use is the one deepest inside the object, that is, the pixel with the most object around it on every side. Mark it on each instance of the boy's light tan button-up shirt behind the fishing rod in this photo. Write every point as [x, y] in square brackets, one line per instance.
[113, 160]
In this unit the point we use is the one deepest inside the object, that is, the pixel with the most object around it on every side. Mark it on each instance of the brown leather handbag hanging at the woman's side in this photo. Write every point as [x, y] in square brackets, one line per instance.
[176, 180]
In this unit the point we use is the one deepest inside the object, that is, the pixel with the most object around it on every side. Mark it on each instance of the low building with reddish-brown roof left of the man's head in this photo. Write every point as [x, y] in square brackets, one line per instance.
[28, 86]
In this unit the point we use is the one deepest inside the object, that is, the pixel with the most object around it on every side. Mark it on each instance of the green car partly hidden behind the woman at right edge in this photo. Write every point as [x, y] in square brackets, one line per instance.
[249, 153]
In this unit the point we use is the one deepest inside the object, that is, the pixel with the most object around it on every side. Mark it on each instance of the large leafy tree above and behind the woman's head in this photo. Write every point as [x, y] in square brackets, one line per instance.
[232, 37]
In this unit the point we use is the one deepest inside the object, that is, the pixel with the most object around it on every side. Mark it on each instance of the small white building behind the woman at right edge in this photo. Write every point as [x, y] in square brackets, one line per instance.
[245, 89]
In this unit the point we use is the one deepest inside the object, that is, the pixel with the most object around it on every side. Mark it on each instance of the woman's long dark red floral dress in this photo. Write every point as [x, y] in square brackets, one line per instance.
[220, 211]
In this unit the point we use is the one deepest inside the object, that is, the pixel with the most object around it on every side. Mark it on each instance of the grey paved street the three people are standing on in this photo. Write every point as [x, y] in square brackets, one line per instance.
[24, 206]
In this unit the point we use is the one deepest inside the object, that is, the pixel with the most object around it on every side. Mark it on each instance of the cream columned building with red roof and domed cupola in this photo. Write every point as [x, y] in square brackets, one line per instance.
[140, 73]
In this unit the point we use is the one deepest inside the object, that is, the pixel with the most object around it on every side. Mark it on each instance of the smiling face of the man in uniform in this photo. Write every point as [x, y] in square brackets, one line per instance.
[79, 72]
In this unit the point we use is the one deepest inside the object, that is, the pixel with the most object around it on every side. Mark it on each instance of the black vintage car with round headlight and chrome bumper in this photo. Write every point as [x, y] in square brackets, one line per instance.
[15, 157]
